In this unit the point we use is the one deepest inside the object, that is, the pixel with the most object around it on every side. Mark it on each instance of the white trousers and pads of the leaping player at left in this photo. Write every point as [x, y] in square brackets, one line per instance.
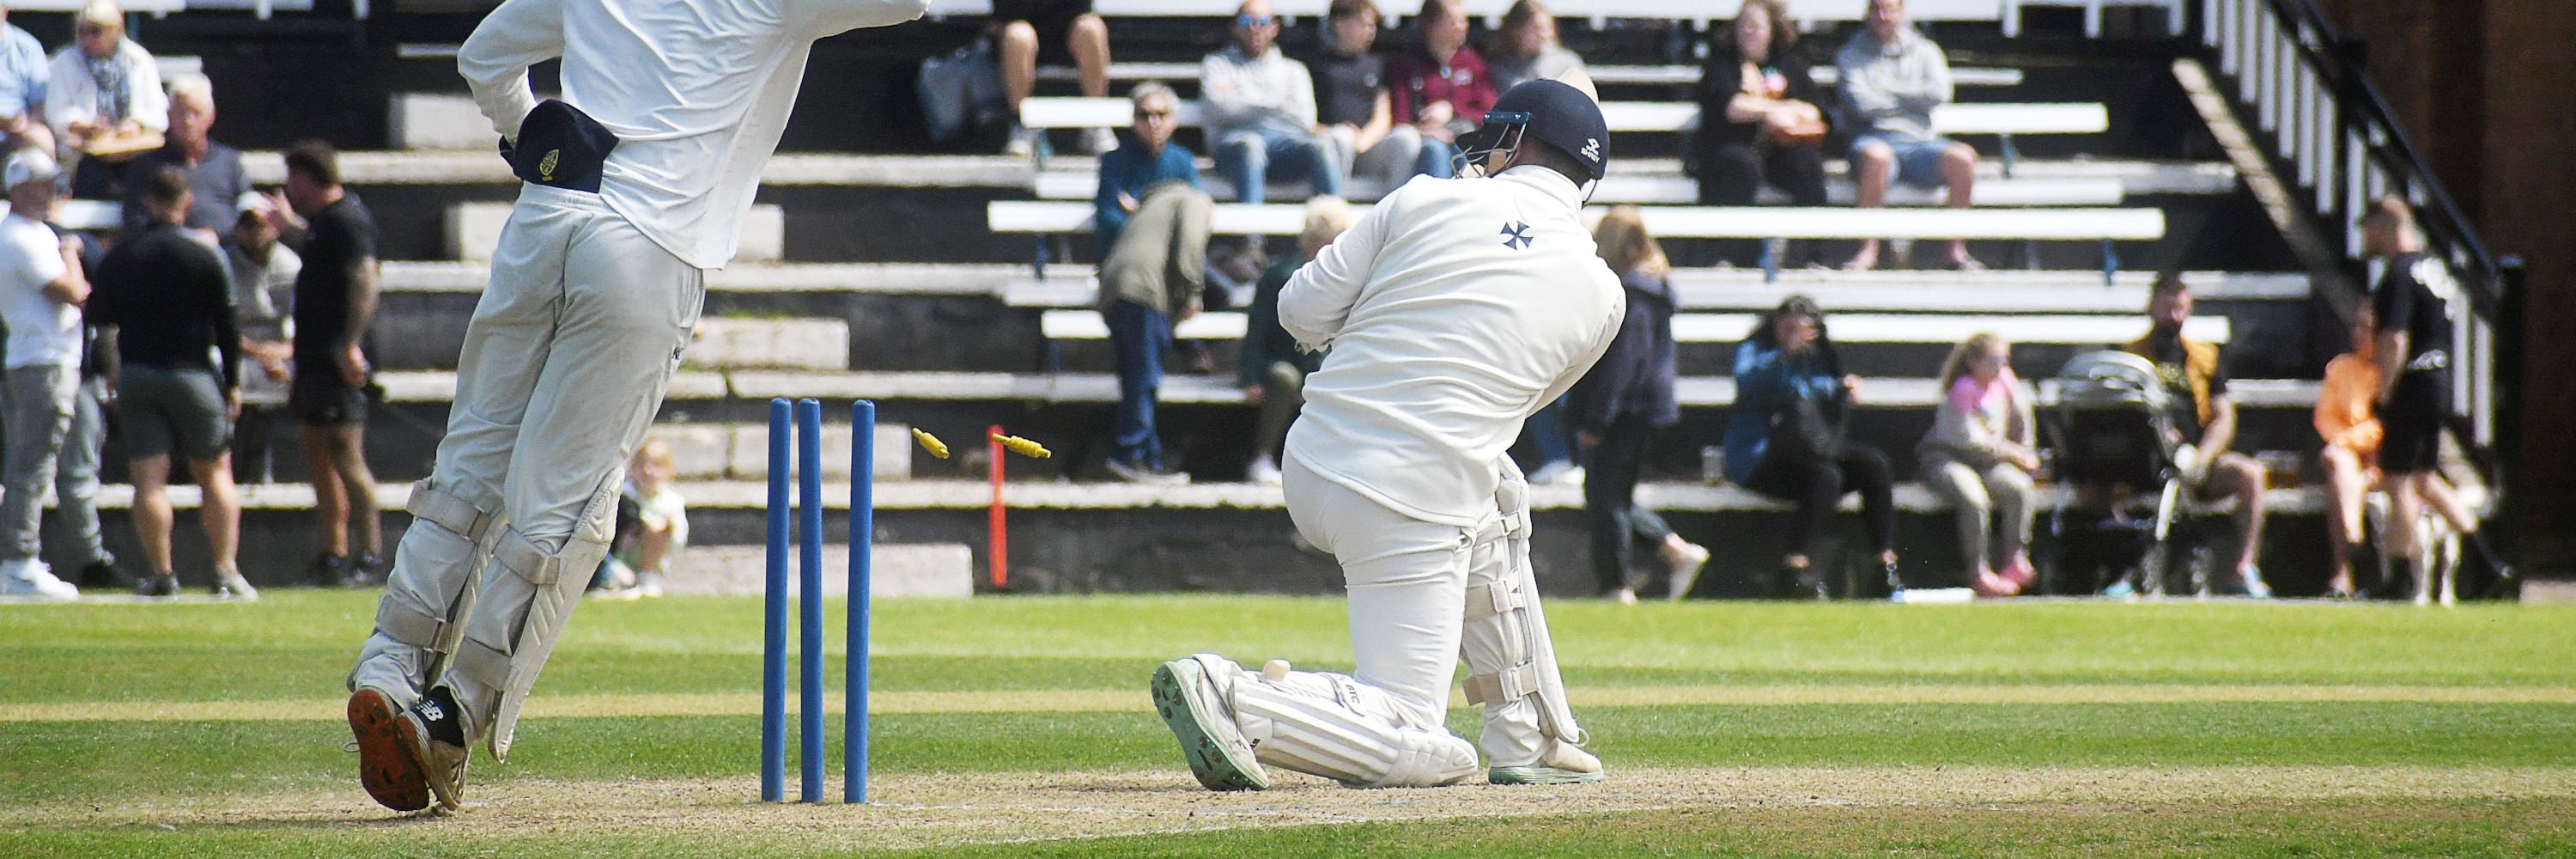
[563, 370]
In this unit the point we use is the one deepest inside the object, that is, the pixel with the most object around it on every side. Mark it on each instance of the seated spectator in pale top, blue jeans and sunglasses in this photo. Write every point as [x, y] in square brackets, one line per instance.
[1261, 110]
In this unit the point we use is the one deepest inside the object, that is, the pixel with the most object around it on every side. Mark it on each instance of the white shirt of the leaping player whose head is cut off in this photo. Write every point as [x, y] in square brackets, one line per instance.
[694, 89]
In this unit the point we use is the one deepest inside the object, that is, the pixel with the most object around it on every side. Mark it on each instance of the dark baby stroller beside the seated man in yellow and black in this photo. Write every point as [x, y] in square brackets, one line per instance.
[2114, 435]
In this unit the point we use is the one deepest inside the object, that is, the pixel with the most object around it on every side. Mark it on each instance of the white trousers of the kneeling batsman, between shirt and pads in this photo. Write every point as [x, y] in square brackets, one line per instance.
[1408, 607]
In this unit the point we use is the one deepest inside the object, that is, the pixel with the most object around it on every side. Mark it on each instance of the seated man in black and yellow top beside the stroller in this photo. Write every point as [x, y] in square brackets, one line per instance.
[2206, 419]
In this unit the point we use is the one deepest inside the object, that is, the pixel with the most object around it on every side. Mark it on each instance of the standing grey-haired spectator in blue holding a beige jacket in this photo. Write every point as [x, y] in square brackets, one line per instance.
[1153, 218]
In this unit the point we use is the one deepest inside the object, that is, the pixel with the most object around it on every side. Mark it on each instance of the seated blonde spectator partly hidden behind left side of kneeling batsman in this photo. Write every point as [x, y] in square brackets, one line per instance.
[1274, 370]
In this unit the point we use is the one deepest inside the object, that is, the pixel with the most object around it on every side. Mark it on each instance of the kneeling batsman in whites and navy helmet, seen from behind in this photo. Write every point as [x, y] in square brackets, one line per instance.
[1454, 311]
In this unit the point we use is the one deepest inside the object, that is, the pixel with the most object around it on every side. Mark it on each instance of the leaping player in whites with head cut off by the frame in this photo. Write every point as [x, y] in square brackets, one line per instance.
[635, 187]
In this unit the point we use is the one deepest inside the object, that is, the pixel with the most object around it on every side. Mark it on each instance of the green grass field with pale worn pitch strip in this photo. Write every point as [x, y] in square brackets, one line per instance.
[213, 729]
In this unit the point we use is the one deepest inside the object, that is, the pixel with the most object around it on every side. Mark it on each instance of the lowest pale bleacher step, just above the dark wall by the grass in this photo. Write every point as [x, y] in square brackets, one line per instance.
[1117, 497]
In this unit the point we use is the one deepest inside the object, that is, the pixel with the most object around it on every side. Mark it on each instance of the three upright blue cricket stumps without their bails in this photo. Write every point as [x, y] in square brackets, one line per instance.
[774, 659]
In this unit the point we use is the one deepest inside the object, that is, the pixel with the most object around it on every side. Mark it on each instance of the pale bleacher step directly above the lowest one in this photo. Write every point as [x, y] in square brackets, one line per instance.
[1197, 391]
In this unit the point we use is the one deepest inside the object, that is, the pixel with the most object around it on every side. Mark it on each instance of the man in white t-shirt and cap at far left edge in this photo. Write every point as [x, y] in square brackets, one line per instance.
[40, 301]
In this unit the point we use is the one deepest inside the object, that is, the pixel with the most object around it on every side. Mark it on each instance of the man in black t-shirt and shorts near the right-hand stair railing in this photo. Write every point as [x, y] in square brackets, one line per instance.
[2415, 303]
